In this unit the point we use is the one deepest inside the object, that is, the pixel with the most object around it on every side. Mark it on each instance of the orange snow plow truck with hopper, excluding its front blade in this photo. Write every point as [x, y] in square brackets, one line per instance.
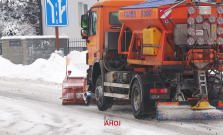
[163, 55]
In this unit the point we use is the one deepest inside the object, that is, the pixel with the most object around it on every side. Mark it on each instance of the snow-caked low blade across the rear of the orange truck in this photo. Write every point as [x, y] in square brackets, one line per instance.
[186, 110]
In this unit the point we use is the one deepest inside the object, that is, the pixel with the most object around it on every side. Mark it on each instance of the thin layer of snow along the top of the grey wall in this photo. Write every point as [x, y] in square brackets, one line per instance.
[32, 37]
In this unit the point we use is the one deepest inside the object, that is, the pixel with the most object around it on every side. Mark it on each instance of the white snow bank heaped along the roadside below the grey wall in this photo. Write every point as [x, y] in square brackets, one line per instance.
[52, 70]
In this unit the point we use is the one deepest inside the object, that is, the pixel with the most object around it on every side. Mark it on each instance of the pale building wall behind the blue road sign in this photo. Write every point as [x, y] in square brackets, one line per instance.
[75, 9]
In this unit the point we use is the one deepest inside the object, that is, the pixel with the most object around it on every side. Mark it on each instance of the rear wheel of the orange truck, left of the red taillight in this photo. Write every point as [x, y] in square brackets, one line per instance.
[136, 101]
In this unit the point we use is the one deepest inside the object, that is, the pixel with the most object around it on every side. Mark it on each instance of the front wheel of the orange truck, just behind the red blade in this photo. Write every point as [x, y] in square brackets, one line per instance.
[103, 103]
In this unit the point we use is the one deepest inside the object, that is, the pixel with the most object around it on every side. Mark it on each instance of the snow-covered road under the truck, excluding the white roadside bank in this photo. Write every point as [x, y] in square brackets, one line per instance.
[34, 107]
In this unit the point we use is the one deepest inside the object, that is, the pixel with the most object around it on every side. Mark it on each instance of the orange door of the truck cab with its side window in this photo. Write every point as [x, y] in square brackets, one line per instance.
[92, 36]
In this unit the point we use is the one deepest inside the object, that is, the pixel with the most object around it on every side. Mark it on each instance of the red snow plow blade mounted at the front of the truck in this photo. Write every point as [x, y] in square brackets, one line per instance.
[74, 91]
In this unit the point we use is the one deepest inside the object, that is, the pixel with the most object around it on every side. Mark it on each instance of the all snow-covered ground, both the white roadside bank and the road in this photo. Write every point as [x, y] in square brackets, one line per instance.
[30, 104]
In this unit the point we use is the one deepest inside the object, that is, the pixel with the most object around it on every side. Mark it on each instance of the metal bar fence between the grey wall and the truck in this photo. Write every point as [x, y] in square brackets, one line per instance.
[77, 44]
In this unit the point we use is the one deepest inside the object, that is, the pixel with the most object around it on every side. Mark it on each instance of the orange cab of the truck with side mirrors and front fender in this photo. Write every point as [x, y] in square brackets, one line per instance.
[101, 29]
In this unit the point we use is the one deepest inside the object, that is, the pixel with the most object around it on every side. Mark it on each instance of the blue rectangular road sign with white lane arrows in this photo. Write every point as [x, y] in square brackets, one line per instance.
[56, 13]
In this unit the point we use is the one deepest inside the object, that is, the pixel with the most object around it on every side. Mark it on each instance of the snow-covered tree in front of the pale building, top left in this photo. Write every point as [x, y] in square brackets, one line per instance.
[19, 17]
